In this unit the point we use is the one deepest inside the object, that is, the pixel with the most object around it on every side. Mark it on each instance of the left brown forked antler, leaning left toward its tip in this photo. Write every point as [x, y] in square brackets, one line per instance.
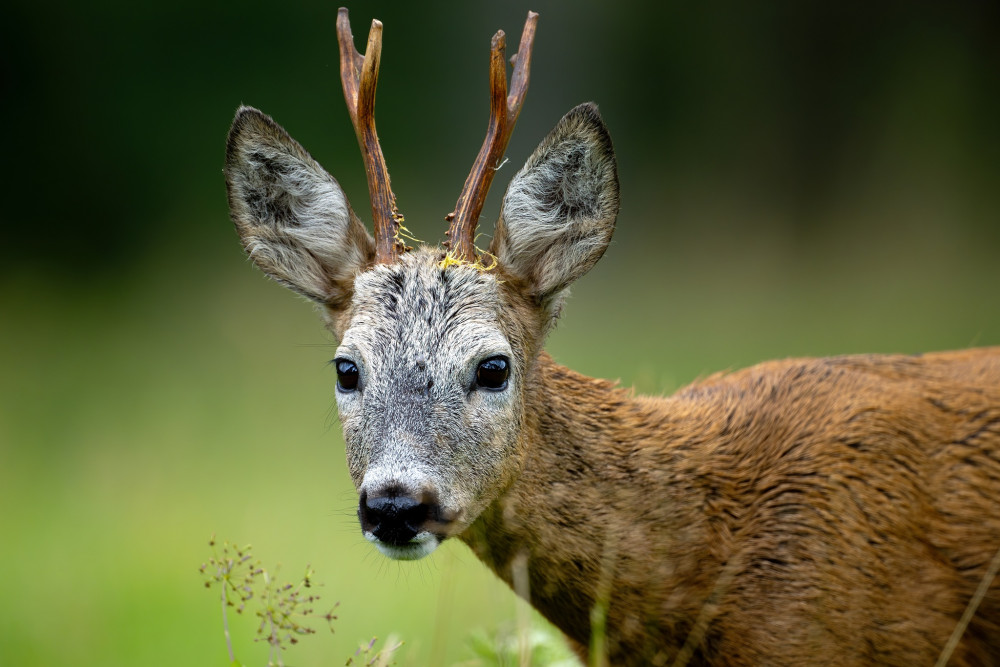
[359, 76]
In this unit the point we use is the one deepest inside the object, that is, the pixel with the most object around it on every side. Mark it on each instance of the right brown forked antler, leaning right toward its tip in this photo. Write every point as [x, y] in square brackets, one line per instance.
[504, 111]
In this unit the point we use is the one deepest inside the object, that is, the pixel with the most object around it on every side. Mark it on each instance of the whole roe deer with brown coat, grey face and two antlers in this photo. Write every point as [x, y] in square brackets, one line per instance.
[841, 511]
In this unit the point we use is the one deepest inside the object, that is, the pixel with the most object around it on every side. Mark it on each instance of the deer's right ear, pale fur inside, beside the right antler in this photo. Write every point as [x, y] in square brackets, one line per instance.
[559, 211]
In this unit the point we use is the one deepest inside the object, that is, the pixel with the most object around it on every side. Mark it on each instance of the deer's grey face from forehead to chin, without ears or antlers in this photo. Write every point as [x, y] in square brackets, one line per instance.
[430, 375]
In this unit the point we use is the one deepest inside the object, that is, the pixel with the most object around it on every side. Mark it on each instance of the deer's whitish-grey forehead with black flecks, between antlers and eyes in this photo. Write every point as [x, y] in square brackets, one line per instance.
[414, 310]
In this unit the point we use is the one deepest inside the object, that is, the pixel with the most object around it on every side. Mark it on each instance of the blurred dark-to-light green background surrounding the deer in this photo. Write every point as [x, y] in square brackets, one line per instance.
[797, 179]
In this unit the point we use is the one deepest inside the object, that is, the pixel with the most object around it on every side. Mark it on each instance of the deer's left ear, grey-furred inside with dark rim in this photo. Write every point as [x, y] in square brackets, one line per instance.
[293, 218]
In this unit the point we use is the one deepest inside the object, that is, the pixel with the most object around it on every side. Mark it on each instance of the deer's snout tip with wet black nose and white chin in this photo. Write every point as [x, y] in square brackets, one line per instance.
[403, 525]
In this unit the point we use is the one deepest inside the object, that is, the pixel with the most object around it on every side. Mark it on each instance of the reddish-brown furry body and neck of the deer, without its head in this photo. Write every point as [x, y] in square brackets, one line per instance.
[837, 511]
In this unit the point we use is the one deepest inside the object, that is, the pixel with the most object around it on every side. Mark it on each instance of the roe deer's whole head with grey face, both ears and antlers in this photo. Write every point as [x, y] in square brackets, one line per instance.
[437, 345]
